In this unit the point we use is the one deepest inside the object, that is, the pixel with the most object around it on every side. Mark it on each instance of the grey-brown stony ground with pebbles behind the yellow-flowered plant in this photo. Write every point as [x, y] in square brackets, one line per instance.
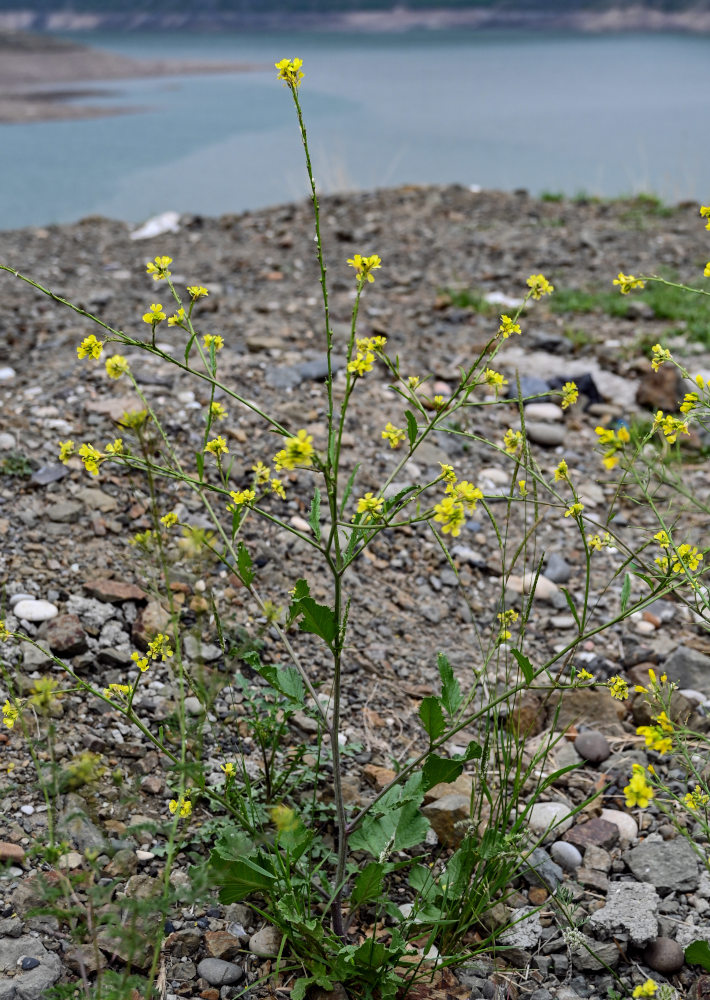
[66, 544]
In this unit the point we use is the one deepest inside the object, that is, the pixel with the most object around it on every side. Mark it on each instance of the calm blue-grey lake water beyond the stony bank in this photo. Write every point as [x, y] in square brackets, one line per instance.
[608, 115]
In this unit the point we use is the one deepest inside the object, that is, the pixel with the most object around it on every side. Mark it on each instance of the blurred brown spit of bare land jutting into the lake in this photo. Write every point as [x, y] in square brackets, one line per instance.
[35, 71]
